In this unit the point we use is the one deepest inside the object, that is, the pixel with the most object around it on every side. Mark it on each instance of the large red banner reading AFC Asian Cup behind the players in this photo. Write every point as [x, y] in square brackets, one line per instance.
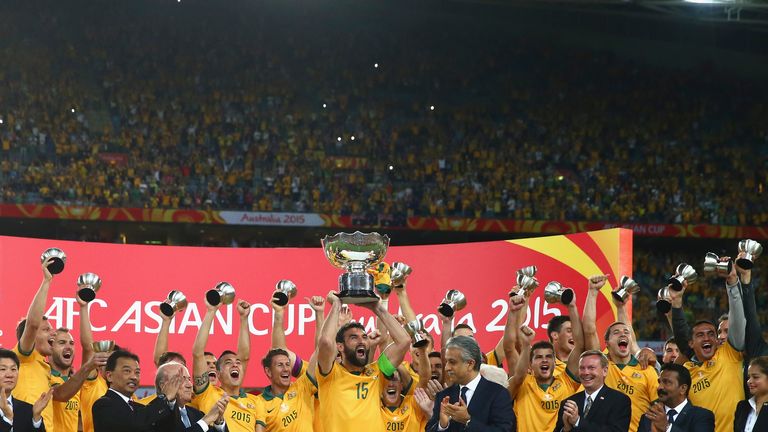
[137, 278]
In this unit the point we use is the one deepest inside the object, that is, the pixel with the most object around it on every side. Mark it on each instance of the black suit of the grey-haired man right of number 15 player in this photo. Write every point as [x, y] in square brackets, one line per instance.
[490, 409]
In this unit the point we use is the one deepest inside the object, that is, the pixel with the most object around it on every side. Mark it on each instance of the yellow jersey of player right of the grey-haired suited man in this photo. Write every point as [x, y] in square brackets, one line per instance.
[536, 407]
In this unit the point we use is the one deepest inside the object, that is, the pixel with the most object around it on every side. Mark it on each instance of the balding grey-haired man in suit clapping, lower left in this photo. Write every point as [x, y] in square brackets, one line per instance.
[185, 418]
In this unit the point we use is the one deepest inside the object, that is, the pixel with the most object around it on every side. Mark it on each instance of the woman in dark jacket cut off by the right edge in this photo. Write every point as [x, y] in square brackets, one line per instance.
[752, 414]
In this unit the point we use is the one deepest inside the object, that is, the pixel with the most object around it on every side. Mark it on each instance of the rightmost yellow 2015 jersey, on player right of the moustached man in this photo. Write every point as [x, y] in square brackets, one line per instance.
[717, 385]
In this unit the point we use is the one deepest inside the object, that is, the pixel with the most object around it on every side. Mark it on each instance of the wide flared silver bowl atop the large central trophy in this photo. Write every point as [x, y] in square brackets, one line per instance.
[344, 248]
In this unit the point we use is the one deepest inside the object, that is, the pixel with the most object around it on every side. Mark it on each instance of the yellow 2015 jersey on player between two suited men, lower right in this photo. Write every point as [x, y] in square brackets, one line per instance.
[640, 385]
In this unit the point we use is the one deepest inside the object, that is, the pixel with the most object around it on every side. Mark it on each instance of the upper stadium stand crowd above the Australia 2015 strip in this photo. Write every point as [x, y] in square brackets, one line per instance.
[170, 112]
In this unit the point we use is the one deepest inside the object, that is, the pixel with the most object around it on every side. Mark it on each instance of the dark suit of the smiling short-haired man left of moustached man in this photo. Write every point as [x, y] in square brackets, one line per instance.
[611, 411]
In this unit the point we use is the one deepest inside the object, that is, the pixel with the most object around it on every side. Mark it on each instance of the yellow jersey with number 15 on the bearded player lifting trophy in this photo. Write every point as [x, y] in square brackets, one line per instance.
[351, 401]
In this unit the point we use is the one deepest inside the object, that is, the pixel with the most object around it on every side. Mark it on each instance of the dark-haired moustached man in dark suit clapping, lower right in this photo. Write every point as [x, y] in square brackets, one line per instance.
[673, 407]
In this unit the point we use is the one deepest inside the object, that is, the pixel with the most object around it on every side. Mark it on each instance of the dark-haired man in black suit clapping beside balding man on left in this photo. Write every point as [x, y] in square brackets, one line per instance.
[116, 412]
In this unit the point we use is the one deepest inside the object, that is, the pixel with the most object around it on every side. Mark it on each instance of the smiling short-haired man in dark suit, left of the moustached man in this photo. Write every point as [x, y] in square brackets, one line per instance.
[598, 408]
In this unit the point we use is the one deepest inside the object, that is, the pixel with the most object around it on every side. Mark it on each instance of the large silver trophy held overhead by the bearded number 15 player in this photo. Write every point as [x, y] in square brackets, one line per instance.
[356, 253]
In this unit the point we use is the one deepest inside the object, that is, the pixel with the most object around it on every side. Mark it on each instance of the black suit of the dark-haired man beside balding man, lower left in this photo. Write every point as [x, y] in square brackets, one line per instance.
[112, 414]
